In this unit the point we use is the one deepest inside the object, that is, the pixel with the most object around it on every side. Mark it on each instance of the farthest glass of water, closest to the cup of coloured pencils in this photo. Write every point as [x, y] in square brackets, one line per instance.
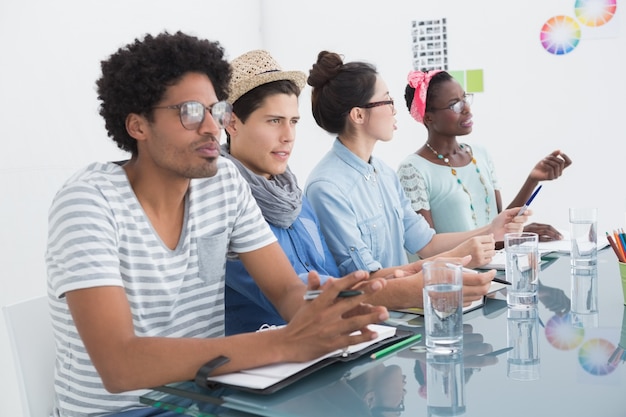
[583, 237]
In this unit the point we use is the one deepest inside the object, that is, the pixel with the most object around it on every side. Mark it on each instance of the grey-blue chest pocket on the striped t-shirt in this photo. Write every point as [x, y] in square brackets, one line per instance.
[212, 249]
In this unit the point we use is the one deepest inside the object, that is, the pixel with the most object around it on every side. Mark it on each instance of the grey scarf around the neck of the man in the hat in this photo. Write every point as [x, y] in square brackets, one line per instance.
[280, 199]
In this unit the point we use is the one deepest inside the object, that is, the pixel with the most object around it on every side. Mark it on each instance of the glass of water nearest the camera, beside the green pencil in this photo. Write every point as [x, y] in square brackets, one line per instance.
[443, 306]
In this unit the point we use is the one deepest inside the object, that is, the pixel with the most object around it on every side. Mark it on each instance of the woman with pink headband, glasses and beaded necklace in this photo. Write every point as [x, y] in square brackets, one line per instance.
[454, 185]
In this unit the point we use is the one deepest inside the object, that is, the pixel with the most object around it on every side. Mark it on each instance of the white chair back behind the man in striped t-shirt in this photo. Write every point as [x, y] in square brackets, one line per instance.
[32, 342]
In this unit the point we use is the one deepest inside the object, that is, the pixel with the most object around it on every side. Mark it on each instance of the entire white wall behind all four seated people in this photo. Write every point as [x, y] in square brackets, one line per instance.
[533, 102]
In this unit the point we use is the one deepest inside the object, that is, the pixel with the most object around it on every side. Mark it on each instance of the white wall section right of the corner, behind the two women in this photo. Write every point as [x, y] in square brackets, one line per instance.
[534, 102]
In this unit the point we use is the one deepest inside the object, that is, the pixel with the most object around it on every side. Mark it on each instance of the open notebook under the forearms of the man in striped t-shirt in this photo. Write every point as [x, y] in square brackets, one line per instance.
[270, 378]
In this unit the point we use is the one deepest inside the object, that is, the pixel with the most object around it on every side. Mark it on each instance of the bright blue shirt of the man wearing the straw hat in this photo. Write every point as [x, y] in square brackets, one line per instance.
[247, 308]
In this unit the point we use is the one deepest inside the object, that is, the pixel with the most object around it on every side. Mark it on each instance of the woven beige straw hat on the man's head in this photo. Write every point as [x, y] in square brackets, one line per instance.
[256, 68]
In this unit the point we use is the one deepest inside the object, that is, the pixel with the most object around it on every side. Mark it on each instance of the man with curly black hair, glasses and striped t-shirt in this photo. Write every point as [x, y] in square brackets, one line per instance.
[137, 249]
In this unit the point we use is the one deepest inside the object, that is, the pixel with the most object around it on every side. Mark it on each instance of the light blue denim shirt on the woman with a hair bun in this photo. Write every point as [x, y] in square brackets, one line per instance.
[365, 216]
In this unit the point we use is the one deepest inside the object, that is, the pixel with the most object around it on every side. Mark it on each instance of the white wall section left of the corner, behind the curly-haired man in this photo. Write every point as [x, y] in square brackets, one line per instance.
[51, 53]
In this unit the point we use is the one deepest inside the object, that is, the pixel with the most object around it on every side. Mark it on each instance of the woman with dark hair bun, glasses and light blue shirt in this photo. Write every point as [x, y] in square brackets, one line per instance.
[366, 218]
